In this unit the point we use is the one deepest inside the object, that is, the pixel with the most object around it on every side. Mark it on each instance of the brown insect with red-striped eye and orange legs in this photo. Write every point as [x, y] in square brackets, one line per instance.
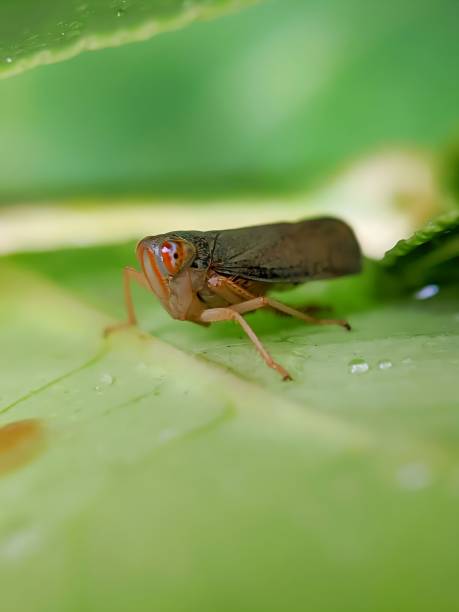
[206, 277]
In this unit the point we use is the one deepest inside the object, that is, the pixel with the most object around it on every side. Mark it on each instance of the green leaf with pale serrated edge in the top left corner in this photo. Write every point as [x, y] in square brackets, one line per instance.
[34, 33]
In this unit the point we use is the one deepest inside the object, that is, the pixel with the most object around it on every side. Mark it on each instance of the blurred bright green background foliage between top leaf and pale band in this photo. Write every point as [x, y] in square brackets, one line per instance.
[271, 98]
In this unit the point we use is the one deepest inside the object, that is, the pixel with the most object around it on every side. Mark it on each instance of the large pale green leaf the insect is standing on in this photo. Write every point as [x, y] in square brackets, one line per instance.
[177, 472]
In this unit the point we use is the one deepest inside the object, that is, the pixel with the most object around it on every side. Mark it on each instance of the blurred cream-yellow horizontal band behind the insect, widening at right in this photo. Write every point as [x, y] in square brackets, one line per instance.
[383, 197]
